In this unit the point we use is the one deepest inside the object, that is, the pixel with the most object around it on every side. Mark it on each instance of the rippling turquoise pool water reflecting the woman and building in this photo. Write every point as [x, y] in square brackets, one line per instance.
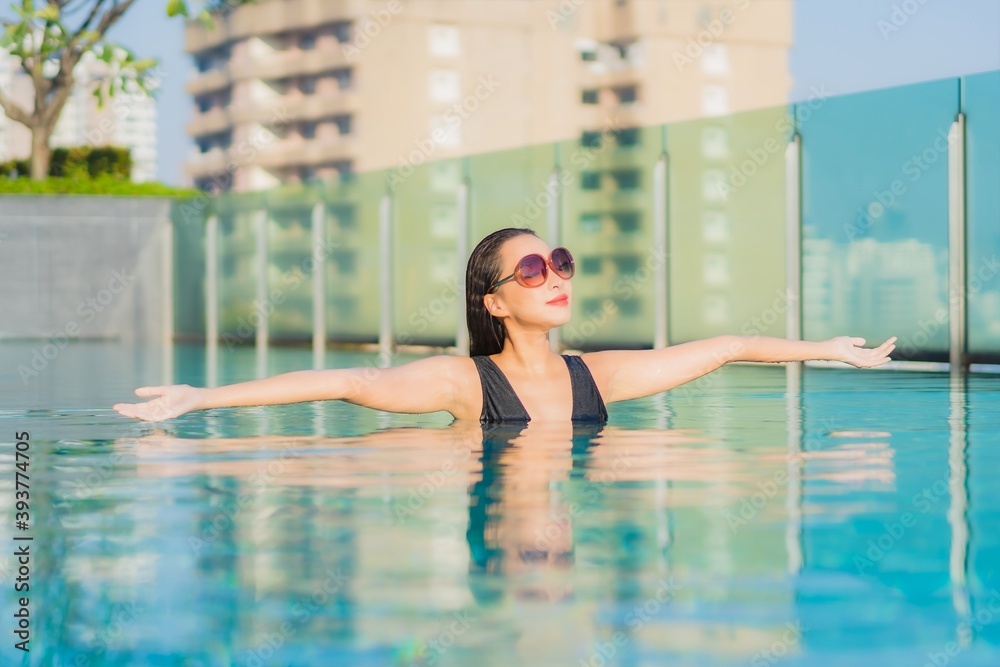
[853, 521]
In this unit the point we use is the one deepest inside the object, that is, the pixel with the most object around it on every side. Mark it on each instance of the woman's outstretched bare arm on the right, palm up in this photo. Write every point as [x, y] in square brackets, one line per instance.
[636, 373]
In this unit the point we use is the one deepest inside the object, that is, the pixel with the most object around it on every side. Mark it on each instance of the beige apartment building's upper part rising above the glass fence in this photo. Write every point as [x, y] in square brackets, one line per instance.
[292, 90]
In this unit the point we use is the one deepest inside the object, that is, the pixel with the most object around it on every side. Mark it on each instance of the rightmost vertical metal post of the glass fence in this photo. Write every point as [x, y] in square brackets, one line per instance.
[957, 342]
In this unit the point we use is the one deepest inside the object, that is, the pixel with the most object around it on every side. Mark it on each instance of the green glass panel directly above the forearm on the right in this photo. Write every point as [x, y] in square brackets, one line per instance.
[727, 225]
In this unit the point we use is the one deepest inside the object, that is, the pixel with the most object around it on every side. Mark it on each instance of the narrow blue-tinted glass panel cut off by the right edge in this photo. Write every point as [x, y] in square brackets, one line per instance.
[981, 102]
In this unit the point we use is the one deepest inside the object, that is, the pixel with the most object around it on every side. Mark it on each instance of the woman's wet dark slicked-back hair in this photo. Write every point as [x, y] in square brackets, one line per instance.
[486, 333]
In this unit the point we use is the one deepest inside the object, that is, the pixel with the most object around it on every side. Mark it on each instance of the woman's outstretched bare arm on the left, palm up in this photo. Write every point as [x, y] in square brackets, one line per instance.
[425, 385]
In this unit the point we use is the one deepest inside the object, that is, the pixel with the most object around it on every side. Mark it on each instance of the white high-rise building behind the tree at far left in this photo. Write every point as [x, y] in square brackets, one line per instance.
[128, 119]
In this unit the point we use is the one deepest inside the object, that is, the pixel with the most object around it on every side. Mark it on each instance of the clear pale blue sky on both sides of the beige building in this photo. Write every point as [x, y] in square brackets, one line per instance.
[838, 44]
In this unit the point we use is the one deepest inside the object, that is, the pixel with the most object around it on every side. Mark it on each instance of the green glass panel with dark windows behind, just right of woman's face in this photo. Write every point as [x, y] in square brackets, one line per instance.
[607, 222]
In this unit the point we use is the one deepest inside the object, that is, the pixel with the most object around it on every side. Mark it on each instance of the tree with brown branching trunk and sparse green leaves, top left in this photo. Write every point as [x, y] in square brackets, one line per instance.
[51, 36]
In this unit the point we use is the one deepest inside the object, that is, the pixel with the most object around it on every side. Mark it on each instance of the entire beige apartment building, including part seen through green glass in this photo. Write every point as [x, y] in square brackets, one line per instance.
[290, 91]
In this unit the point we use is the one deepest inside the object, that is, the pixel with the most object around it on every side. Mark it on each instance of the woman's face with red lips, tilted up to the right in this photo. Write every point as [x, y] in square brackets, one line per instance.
[530, 304]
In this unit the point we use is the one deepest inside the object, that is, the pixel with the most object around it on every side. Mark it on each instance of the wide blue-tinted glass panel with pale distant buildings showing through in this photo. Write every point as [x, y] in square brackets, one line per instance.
[875, 217]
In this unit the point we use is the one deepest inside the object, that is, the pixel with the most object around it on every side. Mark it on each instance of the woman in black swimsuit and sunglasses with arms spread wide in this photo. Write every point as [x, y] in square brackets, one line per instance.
[517, 289]
